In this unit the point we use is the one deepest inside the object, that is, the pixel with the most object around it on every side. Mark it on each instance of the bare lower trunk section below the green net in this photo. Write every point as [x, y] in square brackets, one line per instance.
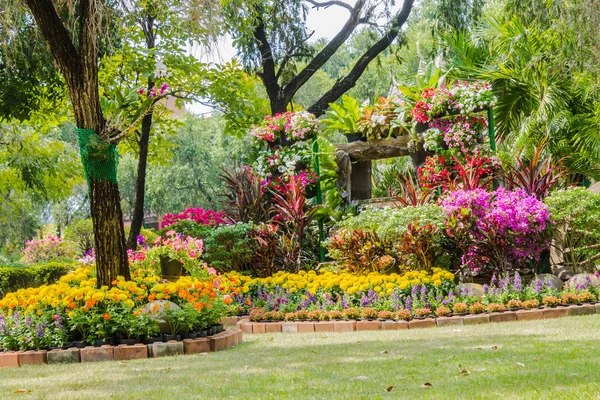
[109, 235]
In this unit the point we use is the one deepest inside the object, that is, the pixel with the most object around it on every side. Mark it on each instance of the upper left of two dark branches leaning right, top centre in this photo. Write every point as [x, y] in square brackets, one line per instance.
[321, 58]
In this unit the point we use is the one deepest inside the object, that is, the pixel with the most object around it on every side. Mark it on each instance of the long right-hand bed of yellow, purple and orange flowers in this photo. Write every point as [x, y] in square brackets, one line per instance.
[342, 296]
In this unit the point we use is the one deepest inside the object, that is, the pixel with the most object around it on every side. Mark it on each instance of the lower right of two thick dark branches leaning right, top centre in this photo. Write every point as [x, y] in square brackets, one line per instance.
[346, 83]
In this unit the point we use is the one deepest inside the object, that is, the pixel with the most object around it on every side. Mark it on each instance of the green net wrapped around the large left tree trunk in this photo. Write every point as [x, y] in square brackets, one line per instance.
[99, 159]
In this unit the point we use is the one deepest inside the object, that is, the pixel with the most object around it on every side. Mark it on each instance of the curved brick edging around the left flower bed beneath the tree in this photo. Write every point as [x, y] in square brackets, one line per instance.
[221, 341]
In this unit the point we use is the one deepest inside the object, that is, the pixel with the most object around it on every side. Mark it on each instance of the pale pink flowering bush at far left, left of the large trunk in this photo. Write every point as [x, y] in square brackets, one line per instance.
[48, 249]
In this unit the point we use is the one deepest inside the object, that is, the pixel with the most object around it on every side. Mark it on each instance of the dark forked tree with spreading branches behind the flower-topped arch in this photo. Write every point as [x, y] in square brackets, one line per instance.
[271, 36]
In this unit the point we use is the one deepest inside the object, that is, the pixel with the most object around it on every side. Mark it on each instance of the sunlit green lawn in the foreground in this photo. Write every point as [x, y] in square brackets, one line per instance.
[549, 359]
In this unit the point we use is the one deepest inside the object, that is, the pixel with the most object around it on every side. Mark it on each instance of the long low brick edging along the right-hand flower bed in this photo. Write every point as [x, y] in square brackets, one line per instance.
[374, 325]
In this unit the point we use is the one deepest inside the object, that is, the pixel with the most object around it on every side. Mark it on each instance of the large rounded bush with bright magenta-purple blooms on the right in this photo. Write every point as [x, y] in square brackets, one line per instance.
[498, 230]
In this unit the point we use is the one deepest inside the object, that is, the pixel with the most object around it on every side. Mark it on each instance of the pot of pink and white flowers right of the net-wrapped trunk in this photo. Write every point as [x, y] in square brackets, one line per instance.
[174, 253]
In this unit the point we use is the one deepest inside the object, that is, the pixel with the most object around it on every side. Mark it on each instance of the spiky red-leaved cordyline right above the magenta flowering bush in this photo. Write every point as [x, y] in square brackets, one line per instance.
[536, 175]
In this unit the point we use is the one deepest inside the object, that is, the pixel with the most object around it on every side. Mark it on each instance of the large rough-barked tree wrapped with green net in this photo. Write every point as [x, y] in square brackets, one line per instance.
[77, 60]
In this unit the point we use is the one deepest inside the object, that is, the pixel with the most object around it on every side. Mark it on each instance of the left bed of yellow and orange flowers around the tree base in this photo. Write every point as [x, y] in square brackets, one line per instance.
[74, 310]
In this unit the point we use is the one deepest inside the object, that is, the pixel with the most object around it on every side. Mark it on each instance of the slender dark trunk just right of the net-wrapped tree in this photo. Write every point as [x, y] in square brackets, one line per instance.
[137, 219]
